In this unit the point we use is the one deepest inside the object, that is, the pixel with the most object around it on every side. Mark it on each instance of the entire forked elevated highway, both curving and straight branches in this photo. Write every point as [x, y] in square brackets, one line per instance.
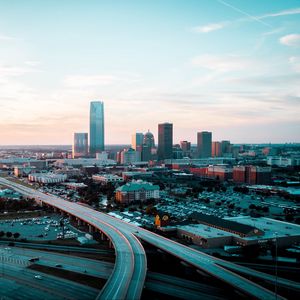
[128, 276]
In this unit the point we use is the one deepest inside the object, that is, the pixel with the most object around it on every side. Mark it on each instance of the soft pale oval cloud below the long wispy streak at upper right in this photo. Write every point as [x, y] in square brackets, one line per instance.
[220, 63]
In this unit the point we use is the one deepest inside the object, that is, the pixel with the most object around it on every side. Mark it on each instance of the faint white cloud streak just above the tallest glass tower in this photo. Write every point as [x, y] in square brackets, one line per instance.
[89, 80]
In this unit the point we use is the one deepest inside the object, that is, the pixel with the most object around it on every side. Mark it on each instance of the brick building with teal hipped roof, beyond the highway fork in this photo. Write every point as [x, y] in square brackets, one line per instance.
[137, 191]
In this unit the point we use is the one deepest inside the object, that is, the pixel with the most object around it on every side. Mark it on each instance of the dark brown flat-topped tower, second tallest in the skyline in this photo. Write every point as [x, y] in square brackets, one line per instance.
[165, 141]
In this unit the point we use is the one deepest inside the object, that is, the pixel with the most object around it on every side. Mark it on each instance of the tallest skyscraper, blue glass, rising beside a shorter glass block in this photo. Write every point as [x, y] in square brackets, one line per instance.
[96, 127]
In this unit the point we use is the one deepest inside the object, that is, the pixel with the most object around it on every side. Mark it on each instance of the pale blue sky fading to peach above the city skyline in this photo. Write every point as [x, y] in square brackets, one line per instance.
[231, 67]
